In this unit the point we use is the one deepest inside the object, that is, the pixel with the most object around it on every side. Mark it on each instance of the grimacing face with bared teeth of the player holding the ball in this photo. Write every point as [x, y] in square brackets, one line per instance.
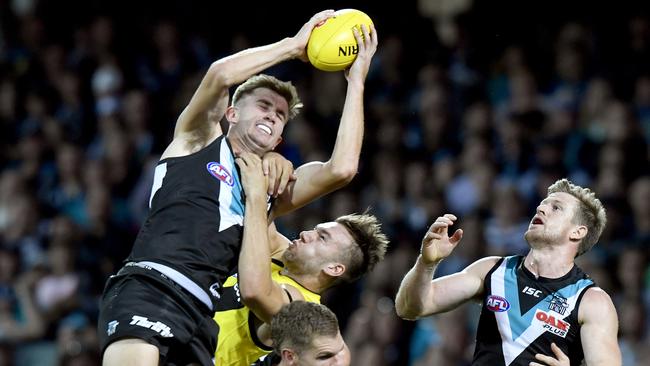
[261, 117]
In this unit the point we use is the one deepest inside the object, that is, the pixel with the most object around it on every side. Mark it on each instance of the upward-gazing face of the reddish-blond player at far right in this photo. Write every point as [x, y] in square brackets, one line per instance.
[552, 222]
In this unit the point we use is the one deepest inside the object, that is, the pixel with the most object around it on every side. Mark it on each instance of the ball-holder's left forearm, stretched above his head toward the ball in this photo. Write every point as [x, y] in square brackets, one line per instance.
[240, 66]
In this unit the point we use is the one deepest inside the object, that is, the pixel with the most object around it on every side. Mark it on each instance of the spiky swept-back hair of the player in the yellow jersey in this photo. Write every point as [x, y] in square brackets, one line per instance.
[370, 244]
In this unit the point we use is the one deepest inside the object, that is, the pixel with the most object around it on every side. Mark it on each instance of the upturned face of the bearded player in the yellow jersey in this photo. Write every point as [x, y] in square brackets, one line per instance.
[321, 245]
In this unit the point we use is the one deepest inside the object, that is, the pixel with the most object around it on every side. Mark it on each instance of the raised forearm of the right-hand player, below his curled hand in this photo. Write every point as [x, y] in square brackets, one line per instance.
[416, 291]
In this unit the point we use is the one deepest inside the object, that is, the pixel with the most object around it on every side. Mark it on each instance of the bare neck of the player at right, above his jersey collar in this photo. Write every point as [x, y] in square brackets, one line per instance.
[550, 262]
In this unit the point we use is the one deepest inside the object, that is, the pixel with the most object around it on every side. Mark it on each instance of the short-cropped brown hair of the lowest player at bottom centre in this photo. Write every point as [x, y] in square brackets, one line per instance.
[297, 324]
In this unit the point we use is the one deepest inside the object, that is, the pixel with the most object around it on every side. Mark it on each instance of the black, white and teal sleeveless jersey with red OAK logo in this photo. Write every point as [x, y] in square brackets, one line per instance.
[522, 315]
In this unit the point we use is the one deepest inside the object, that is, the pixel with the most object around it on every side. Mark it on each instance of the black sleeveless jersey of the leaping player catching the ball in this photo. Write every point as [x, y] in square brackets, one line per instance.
[196, 214]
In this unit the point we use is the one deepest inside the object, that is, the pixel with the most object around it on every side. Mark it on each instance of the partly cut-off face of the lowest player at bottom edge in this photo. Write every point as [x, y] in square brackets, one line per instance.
[325, 351]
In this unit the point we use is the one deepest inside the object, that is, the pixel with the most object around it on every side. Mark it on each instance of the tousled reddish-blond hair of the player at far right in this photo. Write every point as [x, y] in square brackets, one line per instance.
[590, 212]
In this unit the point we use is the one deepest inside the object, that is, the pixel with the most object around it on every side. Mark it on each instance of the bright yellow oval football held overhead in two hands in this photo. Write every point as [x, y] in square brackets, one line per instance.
[332, 46]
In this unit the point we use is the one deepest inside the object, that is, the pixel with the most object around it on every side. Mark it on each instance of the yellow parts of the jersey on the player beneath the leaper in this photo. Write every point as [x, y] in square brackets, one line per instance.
[237, 343]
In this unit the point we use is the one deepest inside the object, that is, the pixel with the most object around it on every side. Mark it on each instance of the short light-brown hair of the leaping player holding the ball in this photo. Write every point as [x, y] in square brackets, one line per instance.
[284, 88]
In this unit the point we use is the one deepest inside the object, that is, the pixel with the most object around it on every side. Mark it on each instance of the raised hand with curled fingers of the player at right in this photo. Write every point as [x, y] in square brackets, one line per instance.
[437, 244]
